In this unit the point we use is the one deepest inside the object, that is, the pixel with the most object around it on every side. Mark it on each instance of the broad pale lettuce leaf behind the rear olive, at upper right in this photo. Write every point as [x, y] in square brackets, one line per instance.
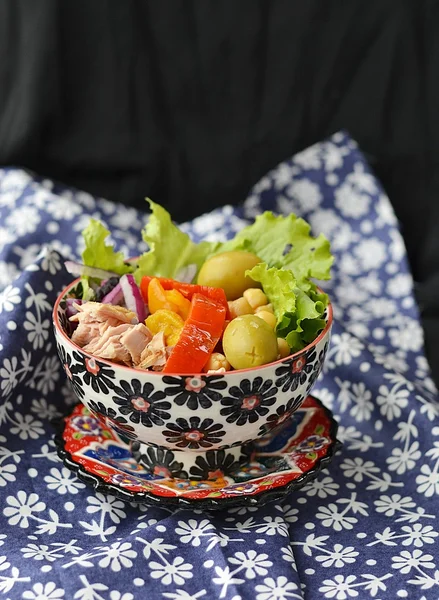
[286, 243]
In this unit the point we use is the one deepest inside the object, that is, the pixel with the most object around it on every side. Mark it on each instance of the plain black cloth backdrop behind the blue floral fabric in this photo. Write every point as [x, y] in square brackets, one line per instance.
[192, 101]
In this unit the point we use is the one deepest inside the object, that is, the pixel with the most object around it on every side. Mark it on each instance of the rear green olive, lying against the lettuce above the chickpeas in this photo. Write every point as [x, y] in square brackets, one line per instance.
[227, 270]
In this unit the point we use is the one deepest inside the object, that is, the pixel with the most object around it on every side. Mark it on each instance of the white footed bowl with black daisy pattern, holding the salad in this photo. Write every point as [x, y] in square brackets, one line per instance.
[195, 426]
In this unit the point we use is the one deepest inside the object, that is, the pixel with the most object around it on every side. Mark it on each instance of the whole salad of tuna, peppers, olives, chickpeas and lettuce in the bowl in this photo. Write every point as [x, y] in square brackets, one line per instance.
[186, 307]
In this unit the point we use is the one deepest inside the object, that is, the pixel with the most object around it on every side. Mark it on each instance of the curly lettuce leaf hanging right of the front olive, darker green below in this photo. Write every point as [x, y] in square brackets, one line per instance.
[298, 312]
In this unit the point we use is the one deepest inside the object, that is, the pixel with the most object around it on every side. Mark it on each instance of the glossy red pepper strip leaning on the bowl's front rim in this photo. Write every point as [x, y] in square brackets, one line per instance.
[200, 334]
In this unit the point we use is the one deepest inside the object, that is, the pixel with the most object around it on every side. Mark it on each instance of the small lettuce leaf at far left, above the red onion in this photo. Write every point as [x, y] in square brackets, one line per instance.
[98, 254]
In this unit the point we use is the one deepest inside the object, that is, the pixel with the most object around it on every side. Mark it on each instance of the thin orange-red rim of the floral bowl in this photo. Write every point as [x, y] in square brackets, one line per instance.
[132, 370]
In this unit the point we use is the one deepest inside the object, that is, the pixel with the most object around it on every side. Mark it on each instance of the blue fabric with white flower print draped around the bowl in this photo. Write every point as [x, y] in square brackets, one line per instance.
[366, 528]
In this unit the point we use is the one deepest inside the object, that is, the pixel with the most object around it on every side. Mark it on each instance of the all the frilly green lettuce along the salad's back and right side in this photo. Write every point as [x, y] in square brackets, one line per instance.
[291, 258]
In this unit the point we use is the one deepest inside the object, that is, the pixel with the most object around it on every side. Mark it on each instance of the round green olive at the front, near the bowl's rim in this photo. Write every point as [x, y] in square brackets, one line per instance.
[248, 341]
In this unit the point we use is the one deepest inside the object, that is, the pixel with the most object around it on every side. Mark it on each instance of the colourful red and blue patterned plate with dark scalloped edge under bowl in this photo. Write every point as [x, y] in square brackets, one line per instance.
[284, 460]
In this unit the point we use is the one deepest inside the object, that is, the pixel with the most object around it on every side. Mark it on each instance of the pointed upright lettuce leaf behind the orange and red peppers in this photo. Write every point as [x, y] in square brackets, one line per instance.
[170, 249]
